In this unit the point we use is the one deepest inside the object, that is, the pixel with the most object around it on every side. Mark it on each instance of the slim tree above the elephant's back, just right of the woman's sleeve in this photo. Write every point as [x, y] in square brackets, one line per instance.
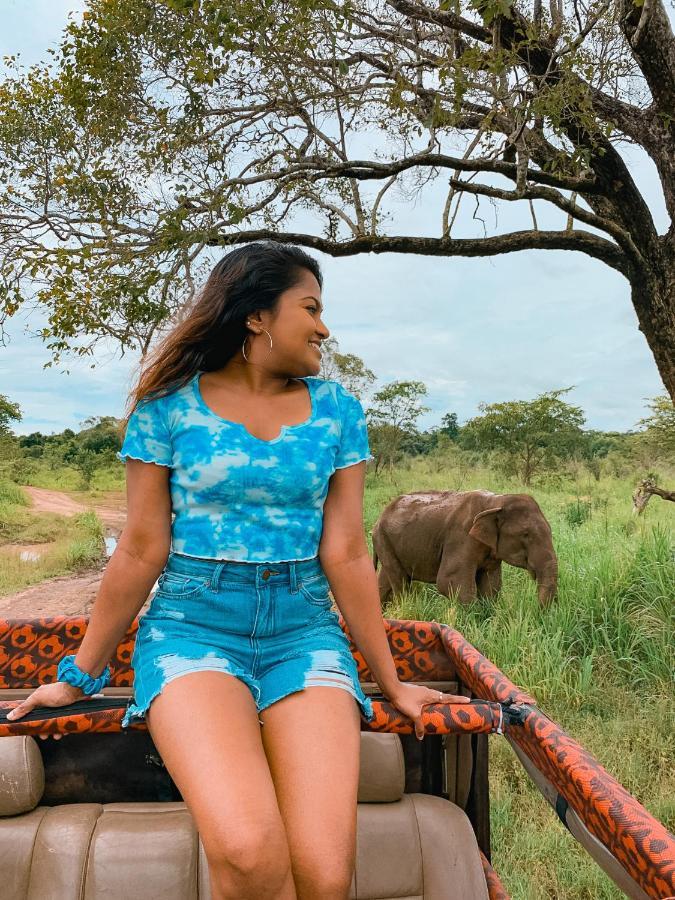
[391, 417]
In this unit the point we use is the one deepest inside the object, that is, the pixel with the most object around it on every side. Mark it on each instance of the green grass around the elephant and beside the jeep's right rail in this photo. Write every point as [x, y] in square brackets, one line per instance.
[600, 661]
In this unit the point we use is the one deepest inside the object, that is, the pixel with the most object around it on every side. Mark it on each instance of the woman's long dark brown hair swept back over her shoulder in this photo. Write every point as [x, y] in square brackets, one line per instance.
[246, 279]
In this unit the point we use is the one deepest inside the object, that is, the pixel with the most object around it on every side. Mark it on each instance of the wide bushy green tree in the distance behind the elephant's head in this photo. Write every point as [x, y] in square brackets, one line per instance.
[530, 434]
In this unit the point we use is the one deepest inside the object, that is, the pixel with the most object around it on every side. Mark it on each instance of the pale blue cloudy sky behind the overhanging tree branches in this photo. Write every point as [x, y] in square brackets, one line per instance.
[473, 330]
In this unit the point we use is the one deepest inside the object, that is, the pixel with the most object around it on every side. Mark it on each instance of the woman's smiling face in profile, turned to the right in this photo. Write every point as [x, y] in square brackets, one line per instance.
[296, 328]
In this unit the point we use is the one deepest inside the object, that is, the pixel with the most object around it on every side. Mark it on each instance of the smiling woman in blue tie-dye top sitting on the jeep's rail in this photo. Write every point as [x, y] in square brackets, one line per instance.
[237, 659]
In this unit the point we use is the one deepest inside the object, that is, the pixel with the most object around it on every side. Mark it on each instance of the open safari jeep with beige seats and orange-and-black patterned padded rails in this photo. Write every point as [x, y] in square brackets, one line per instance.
[97, 815]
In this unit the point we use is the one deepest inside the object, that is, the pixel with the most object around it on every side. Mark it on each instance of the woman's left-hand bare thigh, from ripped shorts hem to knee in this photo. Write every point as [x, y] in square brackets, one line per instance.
[206, 729]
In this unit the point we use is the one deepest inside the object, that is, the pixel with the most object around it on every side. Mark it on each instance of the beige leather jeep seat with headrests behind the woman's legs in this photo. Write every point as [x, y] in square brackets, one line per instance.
[409, 846]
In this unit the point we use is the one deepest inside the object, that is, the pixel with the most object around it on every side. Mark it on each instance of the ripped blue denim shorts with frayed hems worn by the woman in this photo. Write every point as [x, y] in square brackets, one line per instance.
[271, 625]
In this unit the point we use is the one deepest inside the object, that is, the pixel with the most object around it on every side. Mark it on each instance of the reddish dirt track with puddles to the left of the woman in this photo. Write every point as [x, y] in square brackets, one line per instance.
[67, 595]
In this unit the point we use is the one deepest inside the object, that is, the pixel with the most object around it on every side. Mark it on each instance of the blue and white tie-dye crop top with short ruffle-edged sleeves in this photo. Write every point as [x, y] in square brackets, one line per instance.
[236, 496]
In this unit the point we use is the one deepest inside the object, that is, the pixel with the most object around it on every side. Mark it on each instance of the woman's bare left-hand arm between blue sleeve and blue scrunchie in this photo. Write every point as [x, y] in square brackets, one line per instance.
[139, 557]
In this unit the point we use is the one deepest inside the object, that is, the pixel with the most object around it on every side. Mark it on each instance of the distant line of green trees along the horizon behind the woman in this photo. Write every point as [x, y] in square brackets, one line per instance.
[522, 438]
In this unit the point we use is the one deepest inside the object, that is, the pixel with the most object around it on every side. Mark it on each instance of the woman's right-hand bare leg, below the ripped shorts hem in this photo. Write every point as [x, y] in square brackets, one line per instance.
[312, 741]
